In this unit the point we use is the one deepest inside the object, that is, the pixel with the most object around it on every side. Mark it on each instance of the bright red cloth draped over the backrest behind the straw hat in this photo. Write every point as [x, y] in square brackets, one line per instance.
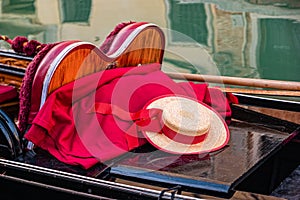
[68, 128]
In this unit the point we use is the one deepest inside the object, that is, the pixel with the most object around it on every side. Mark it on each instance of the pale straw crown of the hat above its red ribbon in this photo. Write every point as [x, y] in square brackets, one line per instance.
[186, 117]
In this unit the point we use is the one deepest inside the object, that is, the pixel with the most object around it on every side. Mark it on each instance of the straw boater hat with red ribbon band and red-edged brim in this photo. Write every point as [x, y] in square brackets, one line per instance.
[188, 126]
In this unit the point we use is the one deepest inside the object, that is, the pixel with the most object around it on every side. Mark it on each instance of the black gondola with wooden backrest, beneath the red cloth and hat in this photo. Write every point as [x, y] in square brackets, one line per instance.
[258, 157]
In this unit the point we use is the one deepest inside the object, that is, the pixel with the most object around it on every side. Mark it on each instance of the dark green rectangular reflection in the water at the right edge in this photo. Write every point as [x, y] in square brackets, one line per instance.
[279, 49]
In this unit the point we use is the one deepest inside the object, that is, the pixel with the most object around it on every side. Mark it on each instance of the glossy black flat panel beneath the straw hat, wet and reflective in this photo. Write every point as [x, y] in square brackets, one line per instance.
[249, 147]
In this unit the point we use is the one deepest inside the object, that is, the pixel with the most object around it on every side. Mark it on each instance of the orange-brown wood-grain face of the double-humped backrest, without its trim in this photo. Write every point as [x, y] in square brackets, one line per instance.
[146, 47]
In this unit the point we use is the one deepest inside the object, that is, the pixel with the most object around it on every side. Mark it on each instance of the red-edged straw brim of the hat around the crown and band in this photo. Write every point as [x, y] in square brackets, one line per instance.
[217, 137]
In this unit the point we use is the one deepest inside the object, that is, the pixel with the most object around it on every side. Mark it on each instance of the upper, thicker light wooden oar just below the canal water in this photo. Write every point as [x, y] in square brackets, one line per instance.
[227, 80]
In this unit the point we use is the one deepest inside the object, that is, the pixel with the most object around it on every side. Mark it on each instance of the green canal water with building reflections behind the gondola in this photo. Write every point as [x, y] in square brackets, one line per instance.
[240, 38]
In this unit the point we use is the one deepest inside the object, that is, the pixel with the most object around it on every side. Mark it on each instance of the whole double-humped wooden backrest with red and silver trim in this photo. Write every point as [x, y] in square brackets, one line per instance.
[137, 43]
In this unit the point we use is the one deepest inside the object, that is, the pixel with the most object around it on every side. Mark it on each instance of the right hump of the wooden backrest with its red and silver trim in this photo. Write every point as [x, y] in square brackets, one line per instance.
[144, 44]
